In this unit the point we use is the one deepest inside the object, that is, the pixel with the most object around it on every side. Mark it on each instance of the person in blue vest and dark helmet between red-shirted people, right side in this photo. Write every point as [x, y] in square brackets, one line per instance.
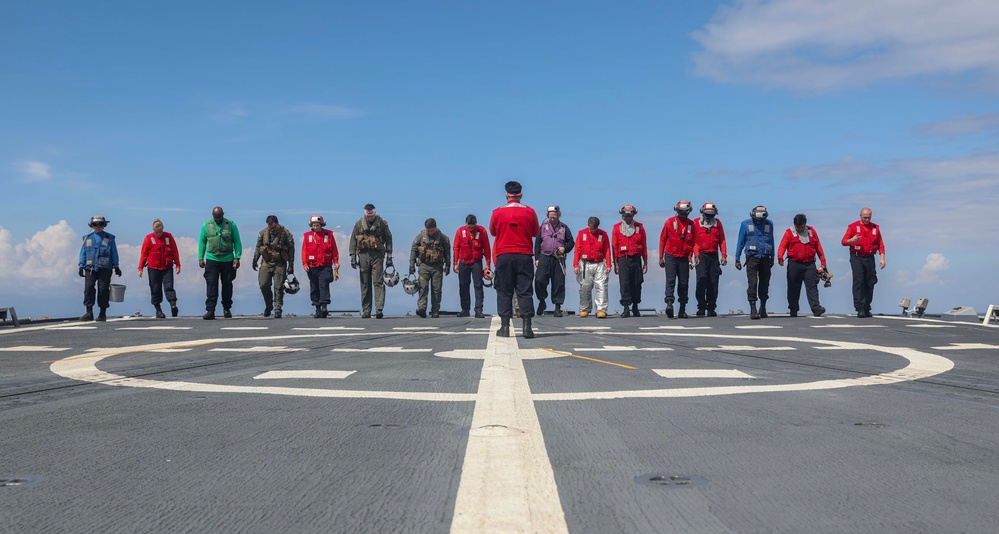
[756, 235]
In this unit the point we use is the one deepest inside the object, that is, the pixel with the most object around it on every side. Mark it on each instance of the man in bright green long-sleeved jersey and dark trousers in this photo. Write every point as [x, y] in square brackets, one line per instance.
[219, 249]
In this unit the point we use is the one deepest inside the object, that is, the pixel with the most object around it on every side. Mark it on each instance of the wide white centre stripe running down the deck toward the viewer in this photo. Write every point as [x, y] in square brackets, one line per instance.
[507, 482]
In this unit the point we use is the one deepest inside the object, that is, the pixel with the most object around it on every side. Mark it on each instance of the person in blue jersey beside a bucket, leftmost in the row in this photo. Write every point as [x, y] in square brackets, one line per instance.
[98, 258]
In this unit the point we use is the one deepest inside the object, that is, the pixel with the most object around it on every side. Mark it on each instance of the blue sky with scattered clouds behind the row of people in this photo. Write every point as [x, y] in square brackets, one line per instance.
[140, 110]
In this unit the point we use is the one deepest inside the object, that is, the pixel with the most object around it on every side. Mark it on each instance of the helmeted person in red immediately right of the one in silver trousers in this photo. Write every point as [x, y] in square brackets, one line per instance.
[631, 258]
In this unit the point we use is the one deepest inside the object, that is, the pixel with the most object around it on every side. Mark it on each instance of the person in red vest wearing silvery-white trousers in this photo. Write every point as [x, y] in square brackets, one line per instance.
[592, 264]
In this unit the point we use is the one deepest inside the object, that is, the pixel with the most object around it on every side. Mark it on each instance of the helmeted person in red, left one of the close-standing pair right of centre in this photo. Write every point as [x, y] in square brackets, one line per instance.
[676, 244]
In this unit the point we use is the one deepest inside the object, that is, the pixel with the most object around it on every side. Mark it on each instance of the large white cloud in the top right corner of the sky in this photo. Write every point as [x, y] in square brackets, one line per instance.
[821, 45]
